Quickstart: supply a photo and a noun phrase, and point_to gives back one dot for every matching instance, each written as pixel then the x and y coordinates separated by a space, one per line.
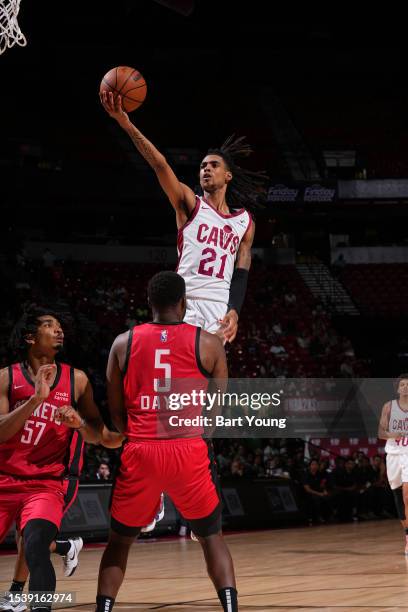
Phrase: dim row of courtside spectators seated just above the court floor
pixel 336 489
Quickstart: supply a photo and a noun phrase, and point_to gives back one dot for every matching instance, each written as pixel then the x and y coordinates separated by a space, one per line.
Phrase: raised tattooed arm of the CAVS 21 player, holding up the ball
pixel 181 197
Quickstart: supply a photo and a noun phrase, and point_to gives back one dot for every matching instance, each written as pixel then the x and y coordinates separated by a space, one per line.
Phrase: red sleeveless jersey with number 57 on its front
pixel 44 447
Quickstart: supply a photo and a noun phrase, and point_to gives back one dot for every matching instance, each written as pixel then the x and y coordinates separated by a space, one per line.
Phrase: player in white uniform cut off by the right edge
pixel 394 428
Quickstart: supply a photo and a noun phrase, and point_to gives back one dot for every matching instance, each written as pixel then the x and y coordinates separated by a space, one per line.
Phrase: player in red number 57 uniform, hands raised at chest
pixel 41 438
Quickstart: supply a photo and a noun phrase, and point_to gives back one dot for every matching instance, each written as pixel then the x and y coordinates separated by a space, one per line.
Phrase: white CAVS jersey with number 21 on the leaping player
pixel 207 248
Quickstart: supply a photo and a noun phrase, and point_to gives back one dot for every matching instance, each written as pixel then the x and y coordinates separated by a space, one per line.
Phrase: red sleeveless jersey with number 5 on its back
pixel 163 361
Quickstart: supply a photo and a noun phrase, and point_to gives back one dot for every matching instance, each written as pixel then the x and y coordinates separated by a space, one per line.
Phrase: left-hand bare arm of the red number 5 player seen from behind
pixel 114 381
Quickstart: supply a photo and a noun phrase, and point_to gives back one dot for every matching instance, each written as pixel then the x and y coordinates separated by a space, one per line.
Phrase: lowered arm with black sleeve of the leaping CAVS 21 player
pixel 239 281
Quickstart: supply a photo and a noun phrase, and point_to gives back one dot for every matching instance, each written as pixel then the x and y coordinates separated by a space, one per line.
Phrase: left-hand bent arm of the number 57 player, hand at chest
pixel 12 422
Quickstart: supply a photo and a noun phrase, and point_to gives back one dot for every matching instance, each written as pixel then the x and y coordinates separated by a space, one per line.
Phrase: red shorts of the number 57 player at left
pixel 22 500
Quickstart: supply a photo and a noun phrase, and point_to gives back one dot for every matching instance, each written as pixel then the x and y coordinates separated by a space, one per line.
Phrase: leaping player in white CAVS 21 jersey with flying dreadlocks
pixel 214 238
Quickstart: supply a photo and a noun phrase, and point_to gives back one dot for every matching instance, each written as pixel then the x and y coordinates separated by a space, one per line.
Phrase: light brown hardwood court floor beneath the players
pixel 347 568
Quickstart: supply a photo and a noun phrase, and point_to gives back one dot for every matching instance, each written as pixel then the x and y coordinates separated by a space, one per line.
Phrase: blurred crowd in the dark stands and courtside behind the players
pixel 291 335
